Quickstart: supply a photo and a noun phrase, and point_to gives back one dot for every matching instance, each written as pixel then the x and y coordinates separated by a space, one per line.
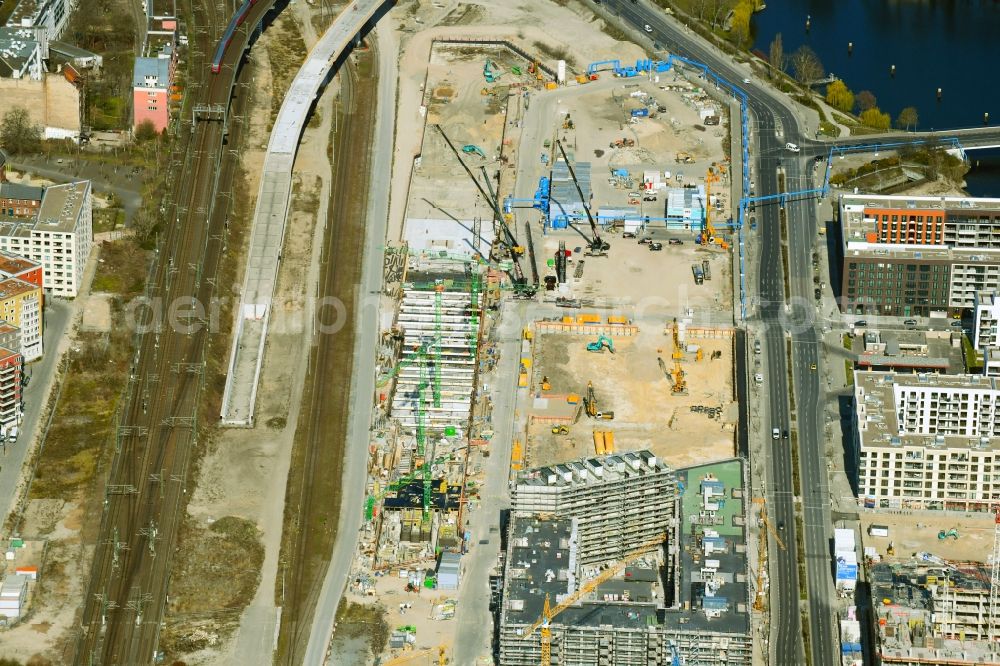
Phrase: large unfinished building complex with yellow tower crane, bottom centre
pixel 670 592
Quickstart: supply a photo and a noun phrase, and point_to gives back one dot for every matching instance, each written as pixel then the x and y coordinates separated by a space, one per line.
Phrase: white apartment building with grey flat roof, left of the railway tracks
pixel 59 237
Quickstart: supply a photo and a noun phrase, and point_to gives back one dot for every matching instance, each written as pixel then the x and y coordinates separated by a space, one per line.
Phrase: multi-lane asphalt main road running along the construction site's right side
pixel 775 125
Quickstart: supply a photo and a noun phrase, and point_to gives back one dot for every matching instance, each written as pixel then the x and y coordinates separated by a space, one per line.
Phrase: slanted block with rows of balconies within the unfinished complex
pixel 618 500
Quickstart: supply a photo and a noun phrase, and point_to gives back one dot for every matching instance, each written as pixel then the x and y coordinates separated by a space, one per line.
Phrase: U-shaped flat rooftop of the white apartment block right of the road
pixel 876 389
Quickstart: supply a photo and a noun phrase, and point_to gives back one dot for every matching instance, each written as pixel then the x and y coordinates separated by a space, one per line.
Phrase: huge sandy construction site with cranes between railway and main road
pixel 538 195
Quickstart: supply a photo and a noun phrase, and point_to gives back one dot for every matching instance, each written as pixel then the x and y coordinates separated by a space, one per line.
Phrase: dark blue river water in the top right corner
pixel 952 45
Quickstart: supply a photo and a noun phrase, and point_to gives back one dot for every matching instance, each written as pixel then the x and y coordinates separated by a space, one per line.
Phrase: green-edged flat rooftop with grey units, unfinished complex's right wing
pixel 713 582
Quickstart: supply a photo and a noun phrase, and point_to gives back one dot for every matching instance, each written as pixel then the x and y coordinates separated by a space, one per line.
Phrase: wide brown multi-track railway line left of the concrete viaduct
pixel 157 423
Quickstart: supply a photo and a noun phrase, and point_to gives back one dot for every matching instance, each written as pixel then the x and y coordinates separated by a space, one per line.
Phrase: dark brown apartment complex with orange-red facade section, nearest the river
pixel 906 256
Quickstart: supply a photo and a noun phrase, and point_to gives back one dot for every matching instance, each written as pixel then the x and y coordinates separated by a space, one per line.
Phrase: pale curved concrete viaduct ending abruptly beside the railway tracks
pixel 271 214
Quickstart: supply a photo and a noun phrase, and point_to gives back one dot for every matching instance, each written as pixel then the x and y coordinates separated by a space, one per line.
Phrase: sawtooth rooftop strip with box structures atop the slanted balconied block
pixel 594 471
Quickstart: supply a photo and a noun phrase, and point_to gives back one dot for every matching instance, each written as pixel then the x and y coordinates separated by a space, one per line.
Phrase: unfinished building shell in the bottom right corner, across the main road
pixel 932 611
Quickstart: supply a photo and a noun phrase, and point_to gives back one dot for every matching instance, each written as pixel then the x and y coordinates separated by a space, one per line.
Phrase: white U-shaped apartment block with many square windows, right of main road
pixel 927 441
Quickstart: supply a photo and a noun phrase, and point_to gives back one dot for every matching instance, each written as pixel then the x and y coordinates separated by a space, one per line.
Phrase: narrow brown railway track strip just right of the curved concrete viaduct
pixel 314 496
